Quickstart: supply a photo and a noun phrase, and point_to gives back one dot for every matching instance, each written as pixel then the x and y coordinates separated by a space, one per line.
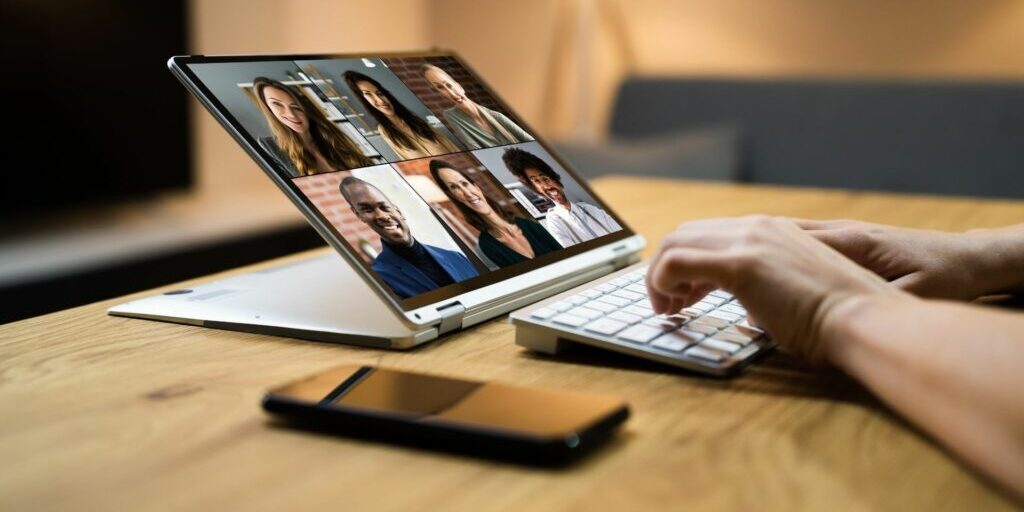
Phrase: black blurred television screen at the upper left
pixel 92 113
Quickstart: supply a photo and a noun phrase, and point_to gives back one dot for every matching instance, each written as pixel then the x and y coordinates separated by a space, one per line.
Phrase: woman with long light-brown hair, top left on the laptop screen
pixel 305 141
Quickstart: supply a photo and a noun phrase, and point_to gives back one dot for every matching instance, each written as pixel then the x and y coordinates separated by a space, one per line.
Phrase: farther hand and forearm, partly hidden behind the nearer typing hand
pixel 933 265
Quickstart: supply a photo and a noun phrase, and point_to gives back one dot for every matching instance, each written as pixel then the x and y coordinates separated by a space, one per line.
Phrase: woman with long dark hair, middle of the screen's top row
pixel 407 134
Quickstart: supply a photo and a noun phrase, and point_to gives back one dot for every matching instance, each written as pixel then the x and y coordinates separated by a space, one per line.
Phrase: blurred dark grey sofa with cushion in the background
pixel 942 138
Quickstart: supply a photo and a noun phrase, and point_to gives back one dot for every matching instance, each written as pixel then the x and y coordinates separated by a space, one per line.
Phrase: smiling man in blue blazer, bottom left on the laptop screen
pixel 407 266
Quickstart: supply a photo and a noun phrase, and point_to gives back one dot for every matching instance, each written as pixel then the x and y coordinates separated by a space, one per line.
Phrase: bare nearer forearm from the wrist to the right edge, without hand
pixel 957 371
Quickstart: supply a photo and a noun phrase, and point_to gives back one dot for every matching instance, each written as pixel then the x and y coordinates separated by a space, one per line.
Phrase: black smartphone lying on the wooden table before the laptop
pixel 487 419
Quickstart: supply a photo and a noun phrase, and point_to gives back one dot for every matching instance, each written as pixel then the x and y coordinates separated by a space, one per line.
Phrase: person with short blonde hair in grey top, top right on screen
pixel 477 125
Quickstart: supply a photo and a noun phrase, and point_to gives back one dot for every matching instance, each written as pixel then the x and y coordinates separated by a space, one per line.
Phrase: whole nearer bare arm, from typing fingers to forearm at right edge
pixel 956 370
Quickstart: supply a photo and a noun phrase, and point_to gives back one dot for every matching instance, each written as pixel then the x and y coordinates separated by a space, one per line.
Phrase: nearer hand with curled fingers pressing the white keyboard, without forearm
pixel 790 281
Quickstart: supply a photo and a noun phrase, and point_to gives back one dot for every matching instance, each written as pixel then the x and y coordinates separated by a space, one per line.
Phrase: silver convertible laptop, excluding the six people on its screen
pixel 338 297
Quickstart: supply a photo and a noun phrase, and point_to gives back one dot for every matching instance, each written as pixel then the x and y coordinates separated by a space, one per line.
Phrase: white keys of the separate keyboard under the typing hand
pixel 713 333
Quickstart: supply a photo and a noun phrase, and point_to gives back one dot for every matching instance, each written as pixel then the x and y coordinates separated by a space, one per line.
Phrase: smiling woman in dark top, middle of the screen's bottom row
pixel 504 239
